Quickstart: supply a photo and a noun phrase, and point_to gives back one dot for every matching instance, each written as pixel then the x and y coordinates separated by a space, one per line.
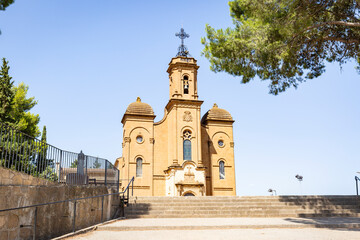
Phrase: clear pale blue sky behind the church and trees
pixel 86 61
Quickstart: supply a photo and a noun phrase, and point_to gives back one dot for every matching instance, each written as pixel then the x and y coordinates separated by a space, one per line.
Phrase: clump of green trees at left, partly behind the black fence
pixel 18 148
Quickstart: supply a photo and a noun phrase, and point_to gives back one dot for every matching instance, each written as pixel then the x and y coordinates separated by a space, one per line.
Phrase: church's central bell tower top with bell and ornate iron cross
pixel 183 73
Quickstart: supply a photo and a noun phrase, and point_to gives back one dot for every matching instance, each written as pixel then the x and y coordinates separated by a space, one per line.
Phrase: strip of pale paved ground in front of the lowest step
pixel 251 234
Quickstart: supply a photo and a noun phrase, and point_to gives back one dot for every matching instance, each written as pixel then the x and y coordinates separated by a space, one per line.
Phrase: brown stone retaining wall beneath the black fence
pixel 52 220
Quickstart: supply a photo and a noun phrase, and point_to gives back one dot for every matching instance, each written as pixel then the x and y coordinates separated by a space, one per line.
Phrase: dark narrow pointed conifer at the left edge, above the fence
pixel 6 93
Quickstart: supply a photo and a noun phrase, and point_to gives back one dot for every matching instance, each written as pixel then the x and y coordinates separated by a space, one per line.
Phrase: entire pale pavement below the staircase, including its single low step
pixel 229 228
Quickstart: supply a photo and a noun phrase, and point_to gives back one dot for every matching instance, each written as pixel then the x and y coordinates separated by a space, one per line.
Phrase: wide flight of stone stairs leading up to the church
pixel 272 206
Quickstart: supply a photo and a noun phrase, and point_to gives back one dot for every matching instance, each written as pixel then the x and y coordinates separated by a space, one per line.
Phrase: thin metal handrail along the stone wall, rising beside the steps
pixel 123 200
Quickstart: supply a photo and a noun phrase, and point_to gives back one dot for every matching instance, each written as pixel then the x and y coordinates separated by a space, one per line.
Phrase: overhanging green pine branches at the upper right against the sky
pixel 285 41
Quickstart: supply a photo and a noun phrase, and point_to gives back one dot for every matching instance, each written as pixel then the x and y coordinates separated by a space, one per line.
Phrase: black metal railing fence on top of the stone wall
pixel 32 156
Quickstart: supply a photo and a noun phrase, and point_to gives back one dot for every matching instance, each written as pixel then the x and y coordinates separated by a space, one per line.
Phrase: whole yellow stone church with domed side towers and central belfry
pixel 182 154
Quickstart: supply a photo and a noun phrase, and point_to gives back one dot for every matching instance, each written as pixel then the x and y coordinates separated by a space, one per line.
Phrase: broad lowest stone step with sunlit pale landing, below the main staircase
pixel 228 223
